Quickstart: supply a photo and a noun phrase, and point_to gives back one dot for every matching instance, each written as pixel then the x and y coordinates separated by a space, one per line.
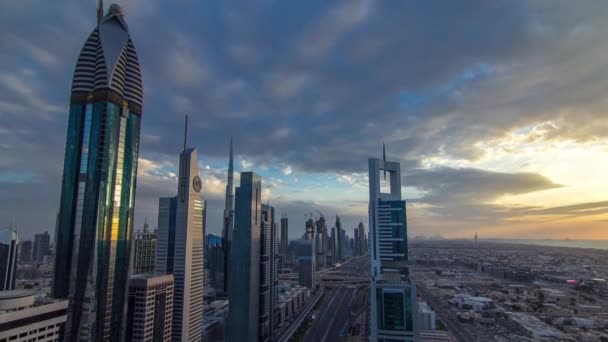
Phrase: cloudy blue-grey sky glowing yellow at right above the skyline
pixel 497 110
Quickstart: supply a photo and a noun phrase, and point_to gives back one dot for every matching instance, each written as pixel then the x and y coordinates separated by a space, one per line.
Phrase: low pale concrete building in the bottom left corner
pixel 40 323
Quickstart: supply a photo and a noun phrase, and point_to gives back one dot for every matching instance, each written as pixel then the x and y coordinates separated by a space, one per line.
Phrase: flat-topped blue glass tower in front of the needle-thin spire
pixel 245 260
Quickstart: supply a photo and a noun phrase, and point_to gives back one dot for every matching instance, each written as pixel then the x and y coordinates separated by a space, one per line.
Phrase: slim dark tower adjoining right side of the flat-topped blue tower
pixel 268 272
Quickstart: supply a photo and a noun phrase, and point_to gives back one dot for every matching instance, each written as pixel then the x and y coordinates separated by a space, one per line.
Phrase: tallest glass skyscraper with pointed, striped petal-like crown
pixel 94 229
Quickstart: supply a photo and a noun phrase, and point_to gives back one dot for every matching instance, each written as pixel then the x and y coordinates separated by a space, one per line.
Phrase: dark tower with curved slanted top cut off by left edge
pixel 9 246
